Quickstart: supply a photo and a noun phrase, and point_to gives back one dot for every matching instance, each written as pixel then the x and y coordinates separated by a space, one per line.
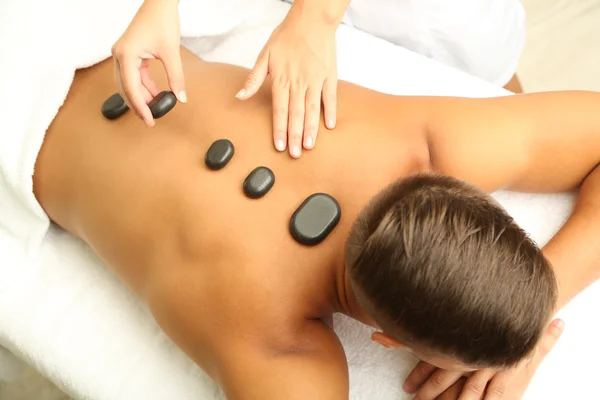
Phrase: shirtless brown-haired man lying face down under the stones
pixel 420 252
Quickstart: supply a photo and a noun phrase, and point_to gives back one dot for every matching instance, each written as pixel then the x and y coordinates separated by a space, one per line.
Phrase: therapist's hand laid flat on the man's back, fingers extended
pixel 300 59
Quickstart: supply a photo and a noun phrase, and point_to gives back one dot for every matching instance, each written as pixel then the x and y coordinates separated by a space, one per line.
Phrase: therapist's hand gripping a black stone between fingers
pixel 153 33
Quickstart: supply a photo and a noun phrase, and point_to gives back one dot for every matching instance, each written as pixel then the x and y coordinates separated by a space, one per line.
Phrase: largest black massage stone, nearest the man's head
pixel 315 219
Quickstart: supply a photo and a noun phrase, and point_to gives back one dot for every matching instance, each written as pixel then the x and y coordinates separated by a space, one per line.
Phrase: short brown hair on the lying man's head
pixel 442 266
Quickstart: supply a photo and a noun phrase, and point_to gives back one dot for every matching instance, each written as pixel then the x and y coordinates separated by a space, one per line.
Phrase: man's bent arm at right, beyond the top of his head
pixel 546 142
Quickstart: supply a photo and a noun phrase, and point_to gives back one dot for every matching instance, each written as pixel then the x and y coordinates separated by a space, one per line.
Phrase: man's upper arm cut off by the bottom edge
pixel 316 369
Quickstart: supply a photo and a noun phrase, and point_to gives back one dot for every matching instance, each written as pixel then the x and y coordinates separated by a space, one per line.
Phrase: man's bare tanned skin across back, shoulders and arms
pixel 220 272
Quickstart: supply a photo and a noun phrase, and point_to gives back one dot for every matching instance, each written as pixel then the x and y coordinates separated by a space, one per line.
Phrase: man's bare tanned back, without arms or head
pixel 208 260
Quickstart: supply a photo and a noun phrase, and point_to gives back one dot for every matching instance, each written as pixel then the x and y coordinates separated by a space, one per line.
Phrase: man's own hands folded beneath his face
pixel 431 383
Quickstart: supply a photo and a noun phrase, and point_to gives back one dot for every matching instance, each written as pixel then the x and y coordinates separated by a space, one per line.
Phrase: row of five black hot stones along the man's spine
pixel 310 223
